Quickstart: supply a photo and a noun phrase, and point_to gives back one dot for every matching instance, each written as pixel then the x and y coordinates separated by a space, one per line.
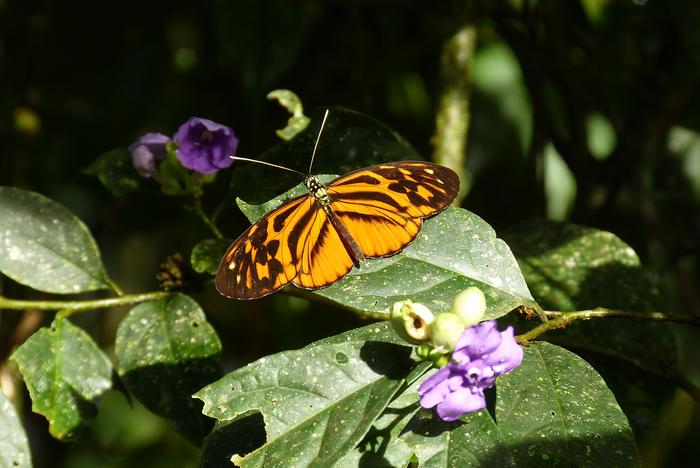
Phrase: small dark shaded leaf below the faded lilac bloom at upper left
pixel 116 172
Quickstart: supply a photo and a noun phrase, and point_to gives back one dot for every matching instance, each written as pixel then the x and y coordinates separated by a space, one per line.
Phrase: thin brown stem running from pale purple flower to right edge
pixel 562 319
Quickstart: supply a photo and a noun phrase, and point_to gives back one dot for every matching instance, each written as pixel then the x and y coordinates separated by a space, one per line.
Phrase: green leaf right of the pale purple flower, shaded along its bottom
pixel 555 410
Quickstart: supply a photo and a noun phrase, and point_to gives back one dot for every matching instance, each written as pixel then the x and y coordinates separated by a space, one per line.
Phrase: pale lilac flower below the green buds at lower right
pixel 481 354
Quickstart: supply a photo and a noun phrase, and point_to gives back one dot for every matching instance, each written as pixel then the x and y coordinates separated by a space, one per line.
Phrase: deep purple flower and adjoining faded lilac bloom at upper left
pixel 204 146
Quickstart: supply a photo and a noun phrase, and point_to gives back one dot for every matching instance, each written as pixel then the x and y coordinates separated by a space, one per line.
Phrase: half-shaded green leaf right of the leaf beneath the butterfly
pixel 569 267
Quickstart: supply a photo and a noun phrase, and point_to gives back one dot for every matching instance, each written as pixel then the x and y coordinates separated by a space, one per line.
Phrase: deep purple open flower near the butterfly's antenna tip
pixel 205 146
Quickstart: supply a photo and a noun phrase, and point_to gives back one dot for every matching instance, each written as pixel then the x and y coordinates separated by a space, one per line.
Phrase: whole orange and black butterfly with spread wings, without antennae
pixel 315 239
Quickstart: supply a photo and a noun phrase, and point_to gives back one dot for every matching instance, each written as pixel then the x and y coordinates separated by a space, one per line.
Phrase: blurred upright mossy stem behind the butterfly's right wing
pixel 452 119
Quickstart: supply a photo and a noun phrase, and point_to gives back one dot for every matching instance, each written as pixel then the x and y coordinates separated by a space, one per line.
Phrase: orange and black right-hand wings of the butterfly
pixel 383 206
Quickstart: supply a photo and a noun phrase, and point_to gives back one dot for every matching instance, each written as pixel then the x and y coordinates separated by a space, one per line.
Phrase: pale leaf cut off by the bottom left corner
pixel 14 446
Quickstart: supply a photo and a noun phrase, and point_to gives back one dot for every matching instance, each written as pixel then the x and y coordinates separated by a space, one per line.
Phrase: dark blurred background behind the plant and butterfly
pixel 584 111
